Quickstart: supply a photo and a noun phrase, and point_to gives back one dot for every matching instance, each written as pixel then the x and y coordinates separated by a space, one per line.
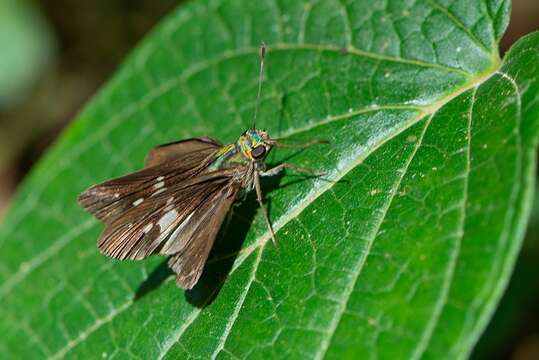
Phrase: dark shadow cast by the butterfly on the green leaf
pixel 223 254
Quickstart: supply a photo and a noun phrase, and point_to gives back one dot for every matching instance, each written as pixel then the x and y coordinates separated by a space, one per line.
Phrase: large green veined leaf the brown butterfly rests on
pixel 401 252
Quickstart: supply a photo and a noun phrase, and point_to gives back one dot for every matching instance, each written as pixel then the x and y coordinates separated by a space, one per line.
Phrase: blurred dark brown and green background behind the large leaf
pixel 56 54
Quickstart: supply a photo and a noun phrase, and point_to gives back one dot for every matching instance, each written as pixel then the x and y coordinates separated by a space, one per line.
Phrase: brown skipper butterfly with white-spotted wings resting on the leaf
pixel 177 203
